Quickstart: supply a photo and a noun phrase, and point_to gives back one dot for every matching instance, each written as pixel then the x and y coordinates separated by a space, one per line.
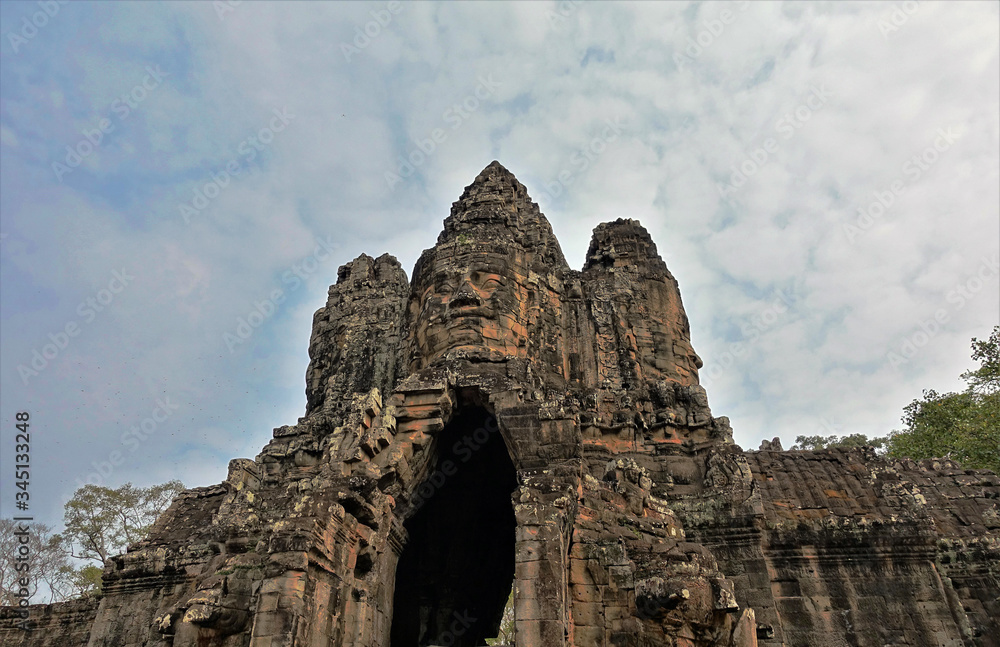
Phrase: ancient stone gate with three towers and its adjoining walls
pixel 502 422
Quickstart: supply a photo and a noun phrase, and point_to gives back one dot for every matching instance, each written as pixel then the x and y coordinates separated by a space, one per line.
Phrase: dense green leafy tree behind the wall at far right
pixel 963 426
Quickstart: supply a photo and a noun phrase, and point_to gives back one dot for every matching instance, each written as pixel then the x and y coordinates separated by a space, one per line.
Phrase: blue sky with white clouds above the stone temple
pixel 179 183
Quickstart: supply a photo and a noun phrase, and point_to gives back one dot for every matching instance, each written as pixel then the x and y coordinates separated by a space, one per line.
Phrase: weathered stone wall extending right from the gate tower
pixel 841 547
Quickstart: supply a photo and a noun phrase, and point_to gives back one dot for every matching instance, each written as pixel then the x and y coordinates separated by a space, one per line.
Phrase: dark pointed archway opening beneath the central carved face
pixel 456 571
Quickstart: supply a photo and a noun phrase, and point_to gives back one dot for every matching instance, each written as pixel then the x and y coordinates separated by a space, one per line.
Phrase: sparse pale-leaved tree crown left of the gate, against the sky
pixel 101 522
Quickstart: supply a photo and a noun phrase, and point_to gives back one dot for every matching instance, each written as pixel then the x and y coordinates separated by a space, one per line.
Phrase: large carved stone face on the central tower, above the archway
pixel 472 300
